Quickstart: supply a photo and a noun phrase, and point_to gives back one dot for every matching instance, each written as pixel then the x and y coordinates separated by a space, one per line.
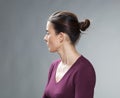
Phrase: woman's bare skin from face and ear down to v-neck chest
pixel 61 44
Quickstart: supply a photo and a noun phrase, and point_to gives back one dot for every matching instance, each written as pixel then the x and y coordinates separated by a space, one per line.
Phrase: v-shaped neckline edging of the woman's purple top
pixel 57 82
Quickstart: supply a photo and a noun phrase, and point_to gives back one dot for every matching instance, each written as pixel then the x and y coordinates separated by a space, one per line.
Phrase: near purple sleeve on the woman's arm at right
pixel 84 83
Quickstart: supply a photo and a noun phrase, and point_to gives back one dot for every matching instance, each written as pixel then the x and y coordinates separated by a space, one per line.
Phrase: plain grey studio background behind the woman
pixel 25 59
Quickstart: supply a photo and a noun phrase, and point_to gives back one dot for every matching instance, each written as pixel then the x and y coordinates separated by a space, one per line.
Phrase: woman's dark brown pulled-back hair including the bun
pixel 67 22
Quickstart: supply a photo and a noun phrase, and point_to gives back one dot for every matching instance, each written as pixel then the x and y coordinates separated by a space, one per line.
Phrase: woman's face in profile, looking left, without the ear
pixel 51 38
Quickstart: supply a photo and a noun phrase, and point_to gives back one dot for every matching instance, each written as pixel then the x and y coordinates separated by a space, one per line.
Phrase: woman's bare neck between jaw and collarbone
pixel 68 54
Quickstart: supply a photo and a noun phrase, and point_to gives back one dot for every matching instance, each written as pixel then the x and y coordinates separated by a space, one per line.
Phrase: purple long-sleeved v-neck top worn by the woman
pixel 78 82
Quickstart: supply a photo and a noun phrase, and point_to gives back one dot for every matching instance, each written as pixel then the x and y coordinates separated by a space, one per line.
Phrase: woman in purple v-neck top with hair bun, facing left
pixel 72 76
